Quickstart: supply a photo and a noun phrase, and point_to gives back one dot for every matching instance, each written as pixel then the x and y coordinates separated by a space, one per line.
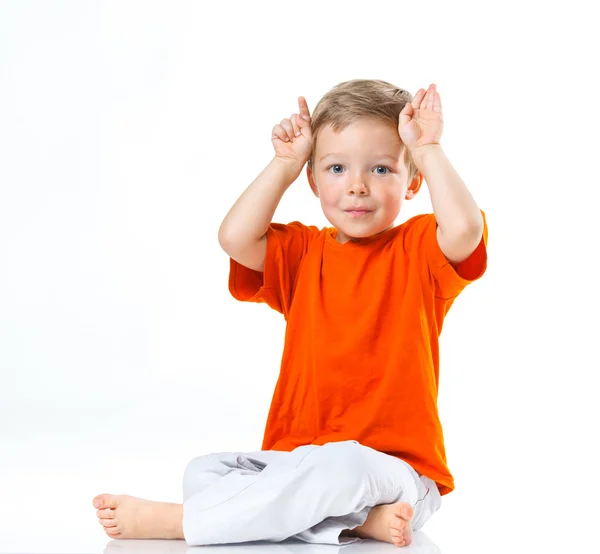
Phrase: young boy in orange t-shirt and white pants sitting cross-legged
pixel 353 446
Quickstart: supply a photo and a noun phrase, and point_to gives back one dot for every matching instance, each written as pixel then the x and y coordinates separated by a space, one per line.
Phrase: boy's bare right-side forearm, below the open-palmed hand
pixel 455 209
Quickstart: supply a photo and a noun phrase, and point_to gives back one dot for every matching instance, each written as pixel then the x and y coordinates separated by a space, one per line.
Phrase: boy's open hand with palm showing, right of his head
pixel 421 120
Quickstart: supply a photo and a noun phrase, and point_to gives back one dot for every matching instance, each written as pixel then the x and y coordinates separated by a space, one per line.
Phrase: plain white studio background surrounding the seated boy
pixel 128 130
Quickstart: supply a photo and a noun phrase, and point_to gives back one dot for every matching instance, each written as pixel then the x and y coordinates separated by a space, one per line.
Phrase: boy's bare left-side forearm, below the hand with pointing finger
pixel 252 213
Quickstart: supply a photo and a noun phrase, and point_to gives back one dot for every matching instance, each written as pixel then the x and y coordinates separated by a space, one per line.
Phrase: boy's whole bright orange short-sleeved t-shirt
pixel 360 358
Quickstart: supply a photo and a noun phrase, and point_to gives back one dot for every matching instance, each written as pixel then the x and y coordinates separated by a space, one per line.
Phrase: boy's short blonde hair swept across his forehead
pixel 357 99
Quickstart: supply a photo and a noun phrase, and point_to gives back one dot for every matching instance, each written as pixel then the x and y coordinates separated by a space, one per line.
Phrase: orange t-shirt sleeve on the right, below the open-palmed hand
pixel 449 279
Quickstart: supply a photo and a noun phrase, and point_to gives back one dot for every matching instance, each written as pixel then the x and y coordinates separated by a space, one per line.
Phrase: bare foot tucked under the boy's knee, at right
pixel 388 523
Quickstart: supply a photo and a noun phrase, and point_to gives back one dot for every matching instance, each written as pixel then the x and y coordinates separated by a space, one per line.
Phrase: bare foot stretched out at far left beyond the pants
pixel 129 517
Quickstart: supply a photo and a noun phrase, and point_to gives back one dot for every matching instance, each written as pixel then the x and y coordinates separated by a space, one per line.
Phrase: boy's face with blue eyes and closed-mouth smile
pixel 361 167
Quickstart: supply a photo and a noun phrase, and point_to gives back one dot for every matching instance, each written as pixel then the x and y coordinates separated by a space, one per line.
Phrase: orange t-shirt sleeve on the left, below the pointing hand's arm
pixel 286 246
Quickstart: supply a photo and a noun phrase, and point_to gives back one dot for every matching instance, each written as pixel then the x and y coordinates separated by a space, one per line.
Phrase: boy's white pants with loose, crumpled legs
pixel 312 493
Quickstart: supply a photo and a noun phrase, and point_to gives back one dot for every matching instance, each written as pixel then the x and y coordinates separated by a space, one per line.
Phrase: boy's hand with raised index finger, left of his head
pixel 296 149
